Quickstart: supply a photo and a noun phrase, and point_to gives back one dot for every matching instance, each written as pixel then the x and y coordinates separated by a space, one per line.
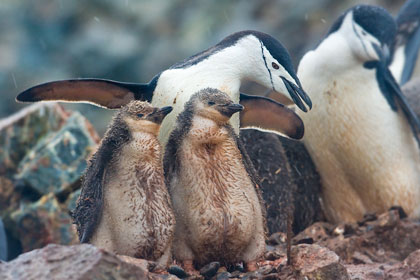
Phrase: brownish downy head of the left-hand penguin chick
pixel 140 116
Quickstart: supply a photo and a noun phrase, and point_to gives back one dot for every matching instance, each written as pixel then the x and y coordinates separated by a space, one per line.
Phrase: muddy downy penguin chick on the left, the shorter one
pixel 124 206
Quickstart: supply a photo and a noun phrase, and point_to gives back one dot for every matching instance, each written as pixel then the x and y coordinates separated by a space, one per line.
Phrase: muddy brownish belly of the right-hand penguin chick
pixel 216 204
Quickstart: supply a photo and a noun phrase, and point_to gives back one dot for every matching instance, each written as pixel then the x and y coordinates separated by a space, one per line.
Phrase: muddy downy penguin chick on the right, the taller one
pixel 213 186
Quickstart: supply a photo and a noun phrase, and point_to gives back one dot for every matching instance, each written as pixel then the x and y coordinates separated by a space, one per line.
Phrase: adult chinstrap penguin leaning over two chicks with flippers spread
pixel 245 55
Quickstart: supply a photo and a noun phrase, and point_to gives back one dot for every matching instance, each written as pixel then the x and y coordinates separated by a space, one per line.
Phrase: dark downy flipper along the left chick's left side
pixel 89 205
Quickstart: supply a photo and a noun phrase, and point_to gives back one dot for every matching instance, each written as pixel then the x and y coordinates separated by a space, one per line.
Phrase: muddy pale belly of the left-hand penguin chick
pixel 137 218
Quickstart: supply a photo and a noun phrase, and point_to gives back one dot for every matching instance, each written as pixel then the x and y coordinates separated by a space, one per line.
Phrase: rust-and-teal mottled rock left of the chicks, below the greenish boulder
pixel 40 223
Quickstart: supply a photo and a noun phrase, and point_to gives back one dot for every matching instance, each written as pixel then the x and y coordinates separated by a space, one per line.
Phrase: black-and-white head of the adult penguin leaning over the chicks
pixel 272 66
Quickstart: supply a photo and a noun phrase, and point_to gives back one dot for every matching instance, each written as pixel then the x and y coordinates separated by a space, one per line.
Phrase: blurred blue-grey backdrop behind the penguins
pixel 127 40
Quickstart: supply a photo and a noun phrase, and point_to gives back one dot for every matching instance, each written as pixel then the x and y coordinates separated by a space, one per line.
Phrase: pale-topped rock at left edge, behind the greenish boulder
pixel 20 132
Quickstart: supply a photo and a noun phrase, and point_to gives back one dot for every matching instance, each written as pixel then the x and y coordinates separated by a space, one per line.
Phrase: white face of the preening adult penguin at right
pixel 359 40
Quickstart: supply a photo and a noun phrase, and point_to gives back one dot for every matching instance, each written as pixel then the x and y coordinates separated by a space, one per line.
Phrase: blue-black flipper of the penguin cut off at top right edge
pixel 408 20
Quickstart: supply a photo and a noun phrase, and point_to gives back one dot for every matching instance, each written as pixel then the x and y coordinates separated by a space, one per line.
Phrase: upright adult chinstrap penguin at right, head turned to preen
pixel 361 133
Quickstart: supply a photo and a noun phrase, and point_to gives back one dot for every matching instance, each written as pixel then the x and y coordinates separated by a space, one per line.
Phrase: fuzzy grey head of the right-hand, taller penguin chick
pixel 215 105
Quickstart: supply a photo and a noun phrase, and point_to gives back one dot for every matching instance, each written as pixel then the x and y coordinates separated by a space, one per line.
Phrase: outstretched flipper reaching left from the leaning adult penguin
pixel 103 93
